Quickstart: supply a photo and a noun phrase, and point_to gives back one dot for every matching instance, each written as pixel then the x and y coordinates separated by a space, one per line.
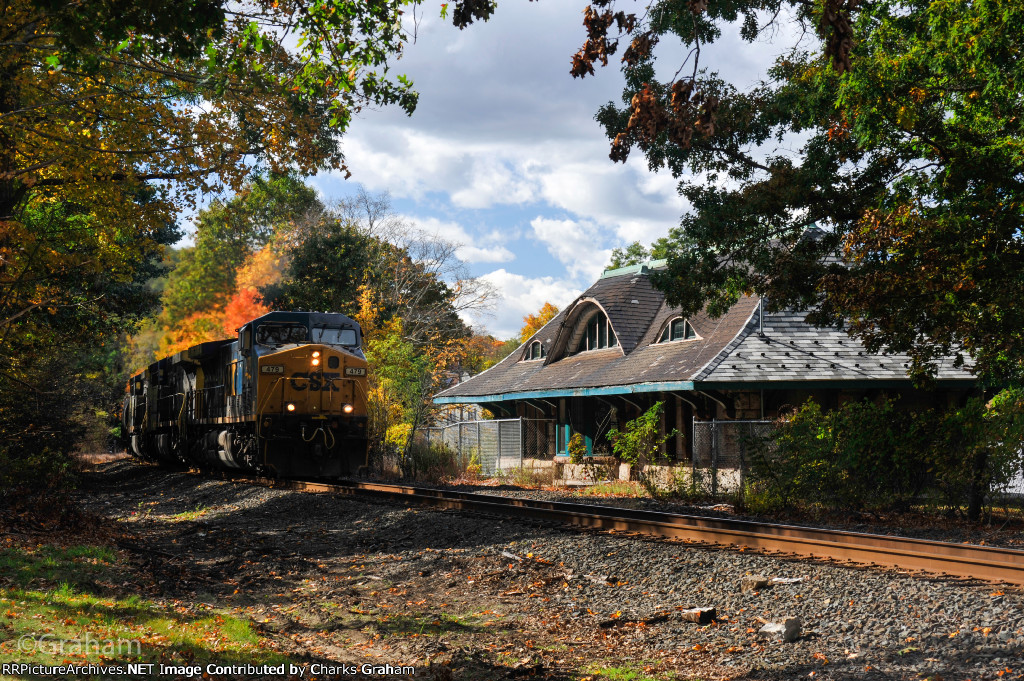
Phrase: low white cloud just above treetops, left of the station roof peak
pixel 522 296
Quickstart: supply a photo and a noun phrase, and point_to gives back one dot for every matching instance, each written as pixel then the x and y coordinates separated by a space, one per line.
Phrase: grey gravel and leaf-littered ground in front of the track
pixel 478 598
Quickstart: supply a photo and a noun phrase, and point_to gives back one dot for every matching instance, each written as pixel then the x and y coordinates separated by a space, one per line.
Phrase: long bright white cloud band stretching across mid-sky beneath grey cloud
pixel 572 176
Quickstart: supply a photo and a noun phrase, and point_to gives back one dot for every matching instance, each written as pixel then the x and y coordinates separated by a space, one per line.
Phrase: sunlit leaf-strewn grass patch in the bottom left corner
pixel 65 606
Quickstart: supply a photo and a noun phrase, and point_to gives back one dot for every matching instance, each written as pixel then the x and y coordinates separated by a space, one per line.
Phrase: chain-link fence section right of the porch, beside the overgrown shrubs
pixel 722 452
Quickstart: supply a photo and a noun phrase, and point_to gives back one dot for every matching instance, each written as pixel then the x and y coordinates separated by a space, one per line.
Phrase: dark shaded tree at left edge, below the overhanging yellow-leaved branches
pixel 67 296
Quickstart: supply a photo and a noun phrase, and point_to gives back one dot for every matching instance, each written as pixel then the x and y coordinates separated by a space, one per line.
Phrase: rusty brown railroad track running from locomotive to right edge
pixel 963 561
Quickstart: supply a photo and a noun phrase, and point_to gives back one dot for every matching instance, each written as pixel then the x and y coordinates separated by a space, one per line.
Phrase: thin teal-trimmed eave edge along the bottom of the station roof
pixel 670 387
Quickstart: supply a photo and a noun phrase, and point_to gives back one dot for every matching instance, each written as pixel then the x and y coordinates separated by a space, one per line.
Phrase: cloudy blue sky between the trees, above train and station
pixel 503 155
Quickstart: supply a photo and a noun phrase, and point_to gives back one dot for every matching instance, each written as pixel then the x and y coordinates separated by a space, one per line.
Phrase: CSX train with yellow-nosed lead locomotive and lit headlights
pixel 287 398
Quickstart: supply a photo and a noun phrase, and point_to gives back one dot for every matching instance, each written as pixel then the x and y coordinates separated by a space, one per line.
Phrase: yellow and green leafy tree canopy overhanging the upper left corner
pixel 103 103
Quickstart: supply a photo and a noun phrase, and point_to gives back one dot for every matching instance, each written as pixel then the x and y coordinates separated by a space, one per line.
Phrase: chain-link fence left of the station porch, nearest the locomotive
pixel 496 445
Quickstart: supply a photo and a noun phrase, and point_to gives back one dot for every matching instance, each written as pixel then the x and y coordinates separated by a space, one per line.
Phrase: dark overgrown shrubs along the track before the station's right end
pixel 874 456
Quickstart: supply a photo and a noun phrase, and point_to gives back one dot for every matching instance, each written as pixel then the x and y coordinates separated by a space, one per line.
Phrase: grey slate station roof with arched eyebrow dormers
pixel 733 352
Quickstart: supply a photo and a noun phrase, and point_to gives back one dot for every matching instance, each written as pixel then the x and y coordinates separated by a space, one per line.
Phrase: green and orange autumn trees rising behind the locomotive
pixel 275 246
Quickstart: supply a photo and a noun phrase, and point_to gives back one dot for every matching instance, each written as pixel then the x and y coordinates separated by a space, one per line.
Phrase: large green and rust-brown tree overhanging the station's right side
pixel 898 210
